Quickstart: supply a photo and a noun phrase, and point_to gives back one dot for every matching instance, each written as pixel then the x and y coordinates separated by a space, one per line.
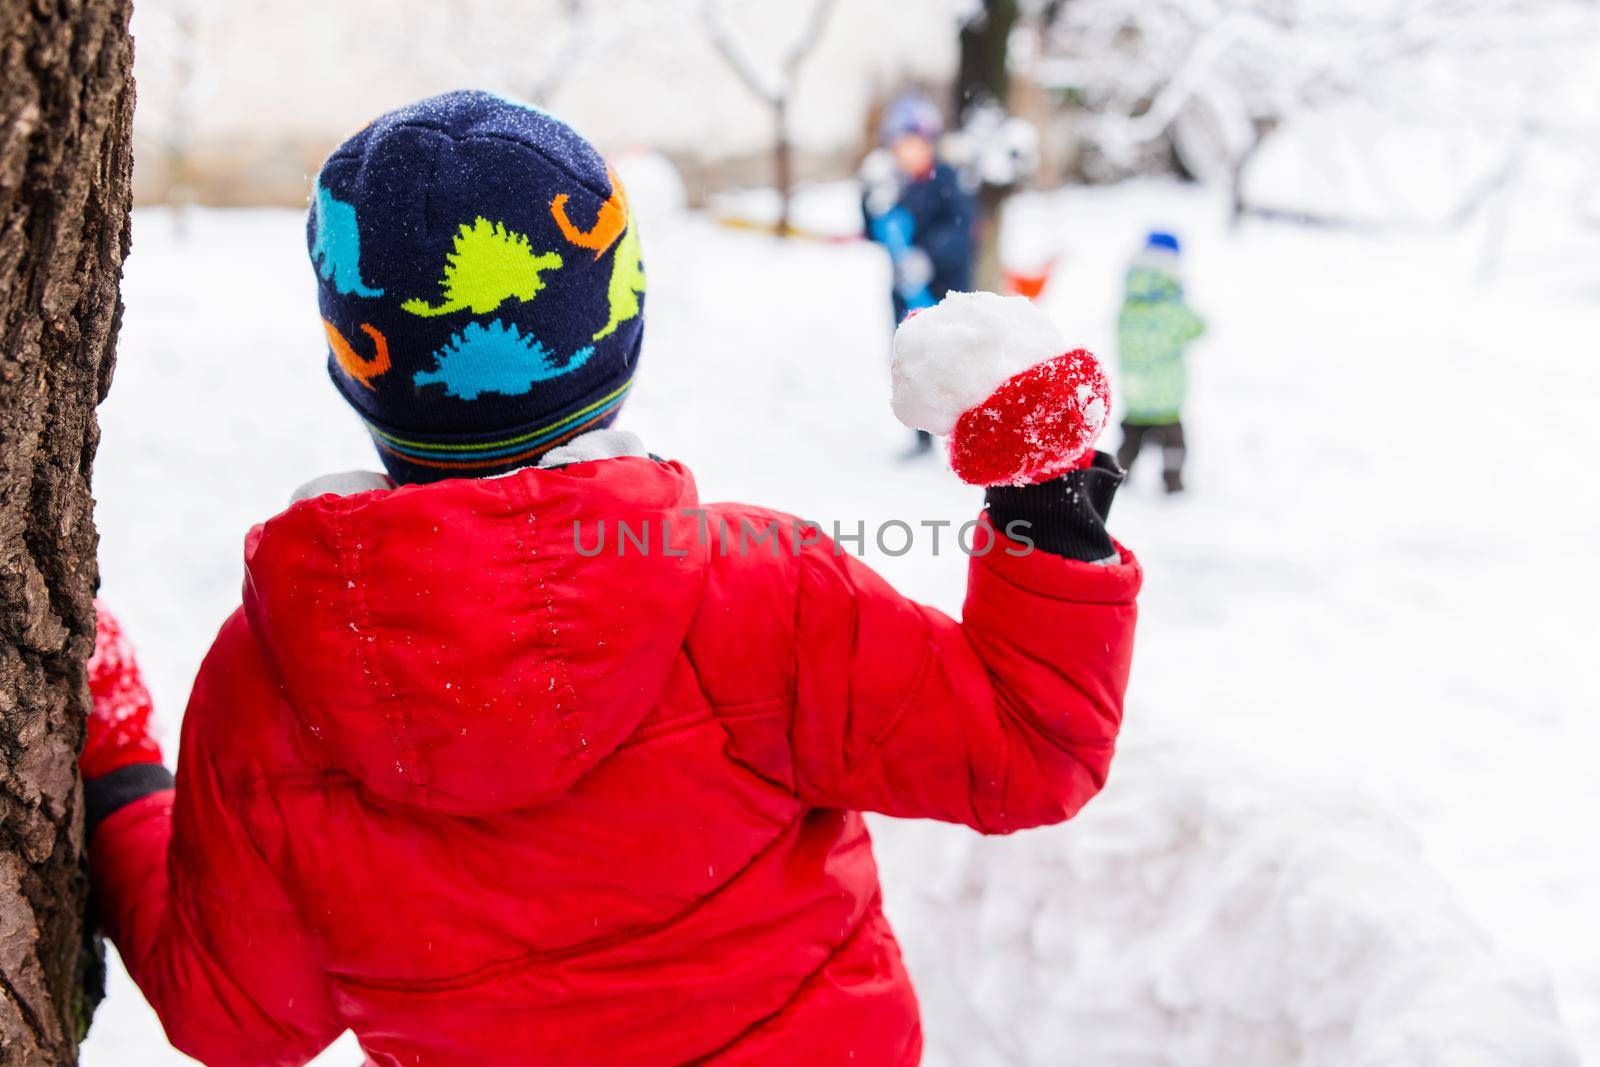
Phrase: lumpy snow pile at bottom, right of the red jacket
pixel 1199 914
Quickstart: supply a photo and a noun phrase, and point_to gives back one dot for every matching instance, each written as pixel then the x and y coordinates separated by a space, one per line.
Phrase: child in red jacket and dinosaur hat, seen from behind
pixel 465 783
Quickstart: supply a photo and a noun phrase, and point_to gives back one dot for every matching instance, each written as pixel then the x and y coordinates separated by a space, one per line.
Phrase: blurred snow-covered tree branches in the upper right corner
pixel 1209 81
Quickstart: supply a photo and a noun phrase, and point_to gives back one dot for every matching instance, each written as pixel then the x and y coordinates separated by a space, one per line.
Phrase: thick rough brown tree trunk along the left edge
pixel 66 105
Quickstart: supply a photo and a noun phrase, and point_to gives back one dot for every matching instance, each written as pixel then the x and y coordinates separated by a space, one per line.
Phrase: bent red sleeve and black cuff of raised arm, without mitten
pixel 1001 722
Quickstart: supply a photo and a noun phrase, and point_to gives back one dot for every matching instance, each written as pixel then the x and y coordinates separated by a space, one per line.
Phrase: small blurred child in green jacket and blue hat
pixel 1154 330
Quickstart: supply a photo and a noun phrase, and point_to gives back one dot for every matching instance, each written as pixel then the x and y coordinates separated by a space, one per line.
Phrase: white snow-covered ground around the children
pixel 1354 818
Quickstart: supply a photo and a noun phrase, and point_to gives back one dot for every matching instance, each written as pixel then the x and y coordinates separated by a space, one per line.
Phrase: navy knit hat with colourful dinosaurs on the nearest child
pixel 481 284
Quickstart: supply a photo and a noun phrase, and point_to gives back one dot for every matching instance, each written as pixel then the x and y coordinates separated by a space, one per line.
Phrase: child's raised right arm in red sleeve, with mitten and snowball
pixel 1009 717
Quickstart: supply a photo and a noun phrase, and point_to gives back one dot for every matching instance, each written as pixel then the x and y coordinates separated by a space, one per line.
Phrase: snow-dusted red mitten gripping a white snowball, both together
pixel 993 374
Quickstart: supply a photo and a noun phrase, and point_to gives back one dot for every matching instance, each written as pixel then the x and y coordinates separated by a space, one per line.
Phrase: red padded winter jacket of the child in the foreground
pixel 482 799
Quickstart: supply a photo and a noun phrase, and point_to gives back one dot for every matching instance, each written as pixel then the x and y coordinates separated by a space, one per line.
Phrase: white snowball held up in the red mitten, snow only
pixel 954 356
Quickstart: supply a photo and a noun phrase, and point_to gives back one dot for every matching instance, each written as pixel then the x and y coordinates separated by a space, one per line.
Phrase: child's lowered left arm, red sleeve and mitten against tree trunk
pixel 193 908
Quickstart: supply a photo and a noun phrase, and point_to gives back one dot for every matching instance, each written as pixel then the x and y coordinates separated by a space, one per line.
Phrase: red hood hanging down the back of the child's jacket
pixel 452 647
